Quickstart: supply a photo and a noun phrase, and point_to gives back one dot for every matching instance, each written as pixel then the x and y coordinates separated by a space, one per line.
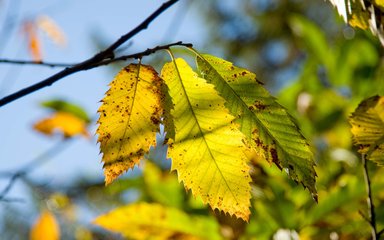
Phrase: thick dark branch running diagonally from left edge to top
pixel 90 63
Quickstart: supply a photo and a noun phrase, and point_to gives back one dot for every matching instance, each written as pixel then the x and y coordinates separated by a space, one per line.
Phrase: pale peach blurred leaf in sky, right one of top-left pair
pixel 54 32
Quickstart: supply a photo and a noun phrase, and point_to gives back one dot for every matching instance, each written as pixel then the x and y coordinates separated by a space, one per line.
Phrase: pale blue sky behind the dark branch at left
pixel 80 20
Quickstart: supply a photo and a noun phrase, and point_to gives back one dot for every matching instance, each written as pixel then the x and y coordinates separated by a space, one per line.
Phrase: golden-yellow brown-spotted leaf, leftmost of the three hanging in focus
pixel 129 119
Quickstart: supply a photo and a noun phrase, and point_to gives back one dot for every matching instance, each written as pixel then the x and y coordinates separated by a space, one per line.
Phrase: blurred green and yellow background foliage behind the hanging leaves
pixel 319 69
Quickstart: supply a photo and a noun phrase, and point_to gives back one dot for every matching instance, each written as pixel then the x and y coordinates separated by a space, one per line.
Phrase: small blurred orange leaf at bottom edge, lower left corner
pixel 46 228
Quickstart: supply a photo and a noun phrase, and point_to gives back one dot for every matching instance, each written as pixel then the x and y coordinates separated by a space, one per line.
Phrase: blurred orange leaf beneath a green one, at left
pixel 66 123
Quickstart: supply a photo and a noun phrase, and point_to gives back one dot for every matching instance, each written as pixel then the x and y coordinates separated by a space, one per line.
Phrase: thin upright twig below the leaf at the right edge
pixel 371 208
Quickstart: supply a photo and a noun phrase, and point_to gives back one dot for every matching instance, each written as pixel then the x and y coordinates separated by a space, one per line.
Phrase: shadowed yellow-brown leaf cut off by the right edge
pixel 368 128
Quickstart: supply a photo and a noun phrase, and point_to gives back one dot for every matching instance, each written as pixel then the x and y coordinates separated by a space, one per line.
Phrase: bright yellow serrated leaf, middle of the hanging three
pixel 208 150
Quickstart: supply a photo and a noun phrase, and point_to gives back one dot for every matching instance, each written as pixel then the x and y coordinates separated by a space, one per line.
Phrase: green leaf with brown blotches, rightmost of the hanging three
pixel 267 125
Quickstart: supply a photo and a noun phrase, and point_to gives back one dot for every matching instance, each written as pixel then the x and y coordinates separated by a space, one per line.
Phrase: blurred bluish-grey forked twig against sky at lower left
pixel 28 168
